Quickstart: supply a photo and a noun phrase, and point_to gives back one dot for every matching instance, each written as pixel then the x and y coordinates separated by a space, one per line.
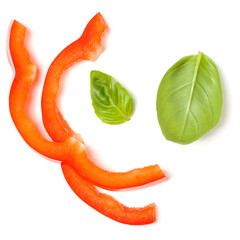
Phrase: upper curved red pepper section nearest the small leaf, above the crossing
pixel 87 47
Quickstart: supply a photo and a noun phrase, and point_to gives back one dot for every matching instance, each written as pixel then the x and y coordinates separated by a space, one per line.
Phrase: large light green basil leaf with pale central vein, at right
pixel 189 99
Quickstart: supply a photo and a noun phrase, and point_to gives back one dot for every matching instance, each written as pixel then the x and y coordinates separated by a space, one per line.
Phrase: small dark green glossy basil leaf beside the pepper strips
pixel 111 102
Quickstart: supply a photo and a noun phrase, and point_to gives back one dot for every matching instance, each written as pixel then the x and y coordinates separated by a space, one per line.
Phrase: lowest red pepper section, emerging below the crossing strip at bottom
pixel 106 204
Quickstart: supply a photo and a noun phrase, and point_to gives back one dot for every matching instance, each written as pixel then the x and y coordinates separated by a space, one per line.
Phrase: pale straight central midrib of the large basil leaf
pixel 199 57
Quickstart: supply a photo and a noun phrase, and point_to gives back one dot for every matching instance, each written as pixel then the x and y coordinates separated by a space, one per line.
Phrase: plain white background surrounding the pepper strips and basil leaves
pixel 200 199
